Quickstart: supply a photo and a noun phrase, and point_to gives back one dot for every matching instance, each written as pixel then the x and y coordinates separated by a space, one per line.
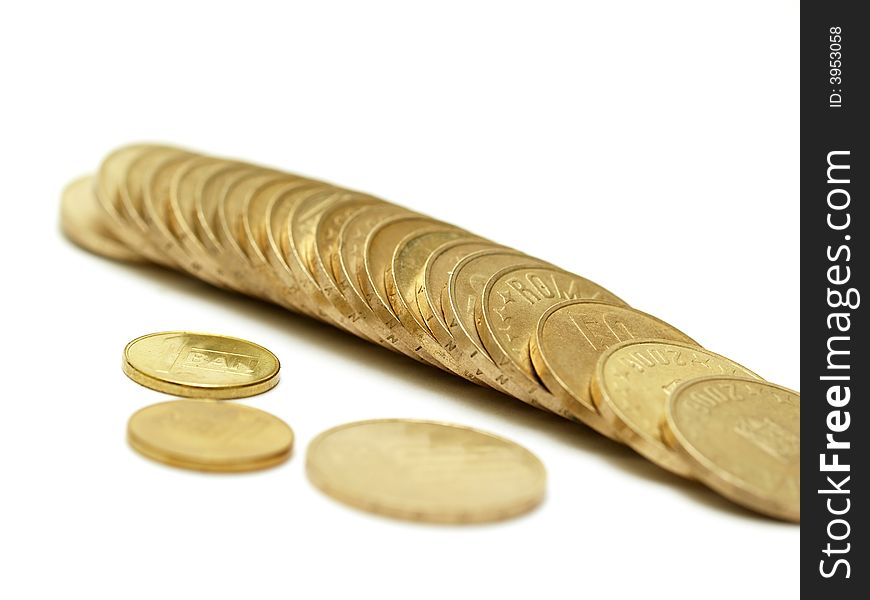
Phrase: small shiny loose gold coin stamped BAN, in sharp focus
pixel 200 365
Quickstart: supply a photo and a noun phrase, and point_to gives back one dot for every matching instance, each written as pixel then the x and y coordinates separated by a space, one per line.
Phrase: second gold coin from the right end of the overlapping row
pixel 631 385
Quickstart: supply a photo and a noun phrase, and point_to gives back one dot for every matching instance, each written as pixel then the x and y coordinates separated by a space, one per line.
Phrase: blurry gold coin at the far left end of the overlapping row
pixel 81 220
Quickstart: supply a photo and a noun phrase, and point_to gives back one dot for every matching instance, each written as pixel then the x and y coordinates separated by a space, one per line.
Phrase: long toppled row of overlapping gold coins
pixel 443 296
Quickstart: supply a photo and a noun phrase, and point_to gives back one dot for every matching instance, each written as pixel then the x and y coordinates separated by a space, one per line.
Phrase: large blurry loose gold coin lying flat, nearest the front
pixel 425 471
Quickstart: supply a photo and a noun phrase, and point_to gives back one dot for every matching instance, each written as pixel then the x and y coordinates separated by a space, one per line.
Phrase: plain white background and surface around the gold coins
pixel 650 146
